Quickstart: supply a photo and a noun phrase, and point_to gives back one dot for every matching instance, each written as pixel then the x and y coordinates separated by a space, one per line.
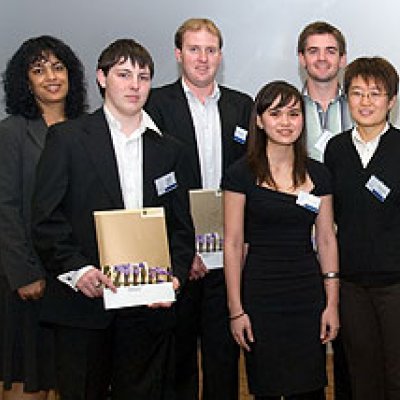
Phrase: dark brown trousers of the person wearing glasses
pixel 371 336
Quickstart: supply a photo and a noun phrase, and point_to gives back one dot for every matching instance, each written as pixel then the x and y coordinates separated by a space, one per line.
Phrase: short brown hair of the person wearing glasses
pixel 373 68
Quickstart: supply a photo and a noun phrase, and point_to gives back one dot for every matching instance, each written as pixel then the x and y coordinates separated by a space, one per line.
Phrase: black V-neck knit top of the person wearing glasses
pixel 368 230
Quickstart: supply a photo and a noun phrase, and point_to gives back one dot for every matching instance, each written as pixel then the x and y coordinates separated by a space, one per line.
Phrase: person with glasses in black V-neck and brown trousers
pixel 364 163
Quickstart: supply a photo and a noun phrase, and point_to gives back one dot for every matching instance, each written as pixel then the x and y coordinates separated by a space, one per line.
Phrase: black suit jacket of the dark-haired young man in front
pixel 78 174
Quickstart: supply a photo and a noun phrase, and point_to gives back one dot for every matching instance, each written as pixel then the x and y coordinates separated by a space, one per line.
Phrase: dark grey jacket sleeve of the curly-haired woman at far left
pixel 21 143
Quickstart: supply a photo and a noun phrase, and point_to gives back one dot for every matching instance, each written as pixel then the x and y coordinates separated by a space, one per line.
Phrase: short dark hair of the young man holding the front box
pixel 120 51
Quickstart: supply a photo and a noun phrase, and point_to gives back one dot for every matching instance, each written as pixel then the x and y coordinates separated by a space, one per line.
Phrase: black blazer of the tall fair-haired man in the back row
pixel 170 110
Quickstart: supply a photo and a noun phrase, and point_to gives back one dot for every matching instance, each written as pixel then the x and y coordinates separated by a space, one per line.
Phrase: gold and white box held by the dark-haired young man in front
pixel 134 253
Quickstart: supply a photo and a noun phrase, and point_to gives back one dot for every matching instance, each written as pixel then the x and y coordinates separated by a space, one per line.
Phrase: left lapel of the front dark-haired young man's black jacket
pixel 98 143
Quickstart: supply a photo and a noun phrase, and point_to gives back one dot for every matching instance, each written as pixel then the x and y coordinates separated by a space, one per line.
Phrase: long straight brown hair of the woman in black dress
pixel 257 142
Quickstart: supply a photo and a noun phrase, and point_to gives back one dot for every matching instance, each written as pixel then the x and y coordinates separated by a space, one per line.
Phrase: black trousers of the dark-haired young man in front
pixel 130 357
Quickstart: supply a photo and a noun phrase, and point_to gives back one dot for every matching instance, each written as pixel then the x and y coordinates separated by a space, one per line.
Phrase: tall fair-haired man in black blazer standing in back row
pixel 211 121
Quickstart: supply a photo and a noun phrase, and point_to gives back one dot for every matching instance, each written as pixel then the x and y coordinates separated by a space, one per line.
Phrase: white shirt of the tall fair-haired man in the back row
pixel 207 126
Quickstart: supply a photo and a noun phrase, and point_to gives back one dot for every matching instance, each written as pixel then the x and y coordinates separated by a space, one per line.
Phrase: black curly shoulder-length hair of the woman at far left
pixel 19 99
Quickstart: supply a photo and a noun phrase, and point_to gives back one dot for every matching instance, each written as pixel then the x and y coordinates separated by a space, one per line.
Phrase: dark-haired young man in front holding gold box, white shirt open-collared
pixel 110 159
